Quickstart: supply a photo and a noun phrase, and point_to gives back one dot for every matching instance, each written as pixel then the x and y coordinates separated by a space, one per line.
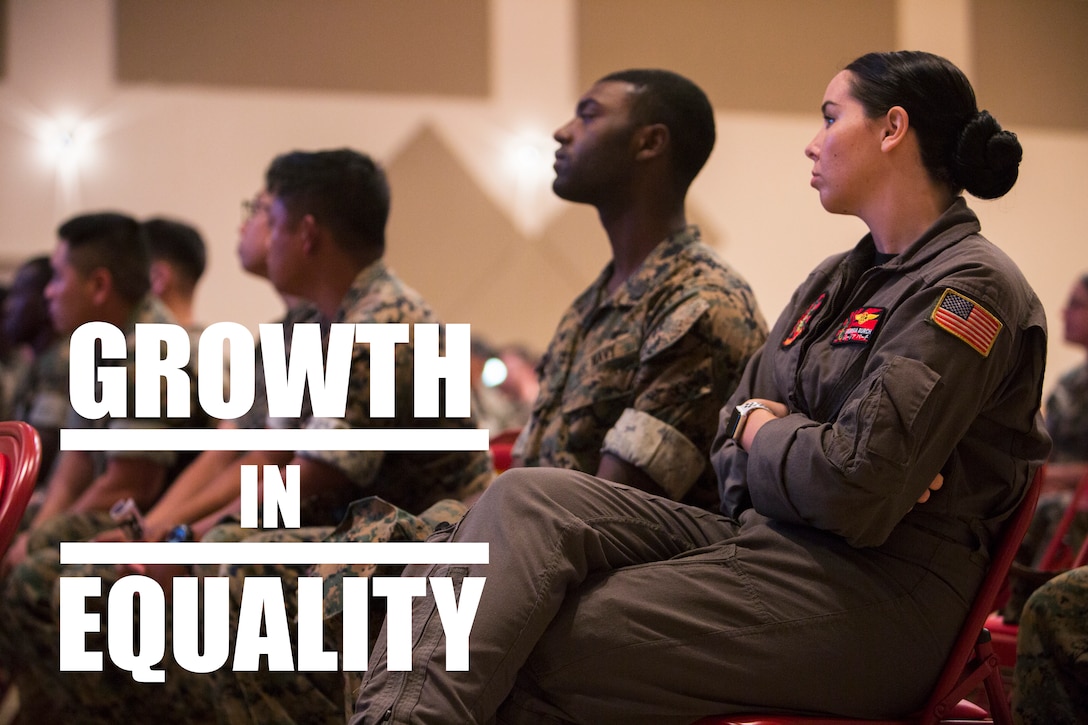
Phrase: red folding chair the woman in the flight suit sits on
pixel 971 663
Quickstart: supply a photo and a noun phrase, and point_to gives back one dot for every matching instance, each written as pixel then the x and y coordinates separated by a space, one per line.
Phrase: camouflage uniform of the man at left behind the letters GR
pixel 29 636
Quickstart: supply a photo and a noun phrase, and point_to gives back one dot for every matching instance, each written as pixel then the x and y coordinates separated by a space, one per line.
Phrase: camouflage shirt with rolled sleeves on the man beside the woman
pixel 641 374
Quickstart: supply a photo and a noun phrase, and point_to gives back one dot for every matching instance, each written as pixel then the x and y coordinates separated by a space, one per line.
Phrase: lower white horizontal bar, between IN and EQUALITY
pixel 274 552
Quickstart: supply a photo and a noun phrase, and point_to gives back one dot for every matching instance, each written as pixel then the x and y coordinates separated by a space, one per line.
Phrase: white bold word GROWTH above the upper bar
pixel 163 353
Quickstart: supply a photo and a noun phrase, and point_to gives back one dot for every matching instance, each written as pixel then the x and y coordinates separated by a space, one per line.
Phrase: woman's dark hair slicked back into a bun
pixel 961 146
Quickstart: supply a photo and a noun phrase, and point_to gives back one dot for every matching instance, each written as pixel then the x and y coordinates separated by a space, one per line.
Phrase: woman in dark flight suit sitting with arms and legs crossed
pixel 871 454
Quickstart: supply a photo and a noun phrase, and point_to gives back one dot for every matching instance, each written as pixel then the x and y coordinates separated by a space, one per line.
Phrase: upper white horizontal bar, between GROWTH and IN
pixel 216 439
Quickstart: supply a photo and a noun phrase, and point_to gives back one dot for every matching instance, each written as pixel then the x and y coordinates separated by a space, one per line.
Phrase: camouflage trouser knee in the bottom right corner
pixel 1052 675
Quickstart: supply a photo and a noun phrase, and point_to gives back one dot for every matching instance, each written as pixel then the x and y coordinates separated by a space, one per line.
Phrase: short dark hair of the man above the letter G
pixel 114 242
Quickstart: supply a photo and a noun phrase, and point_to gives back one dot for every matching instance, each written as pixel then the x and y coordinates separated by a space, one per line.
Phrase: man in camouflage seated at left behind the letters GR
pixel 101 274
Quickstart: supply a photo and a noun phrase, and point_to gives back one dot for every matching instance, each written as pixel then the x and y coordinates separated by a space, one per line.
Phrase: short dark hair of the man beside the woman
pixel 670 99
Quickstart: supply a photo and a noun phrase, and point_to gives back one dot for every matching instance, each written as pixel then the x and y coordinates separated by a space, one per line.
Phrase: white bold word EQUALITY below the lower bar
pixel 138 645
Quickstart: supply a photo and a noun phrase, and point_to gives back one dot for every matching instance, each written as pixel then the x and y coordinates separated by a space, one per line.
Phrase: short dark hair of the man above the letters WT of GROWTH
pixel 345 191
